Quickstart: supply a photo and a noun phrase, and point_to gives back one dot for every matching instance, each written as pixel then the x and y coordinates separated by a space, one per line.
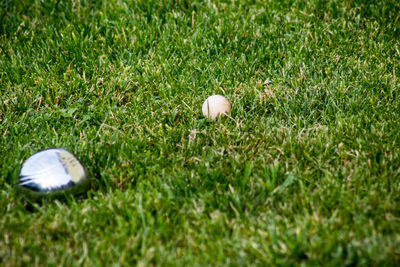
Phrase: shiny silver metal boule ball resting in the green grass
pixel 52 171
